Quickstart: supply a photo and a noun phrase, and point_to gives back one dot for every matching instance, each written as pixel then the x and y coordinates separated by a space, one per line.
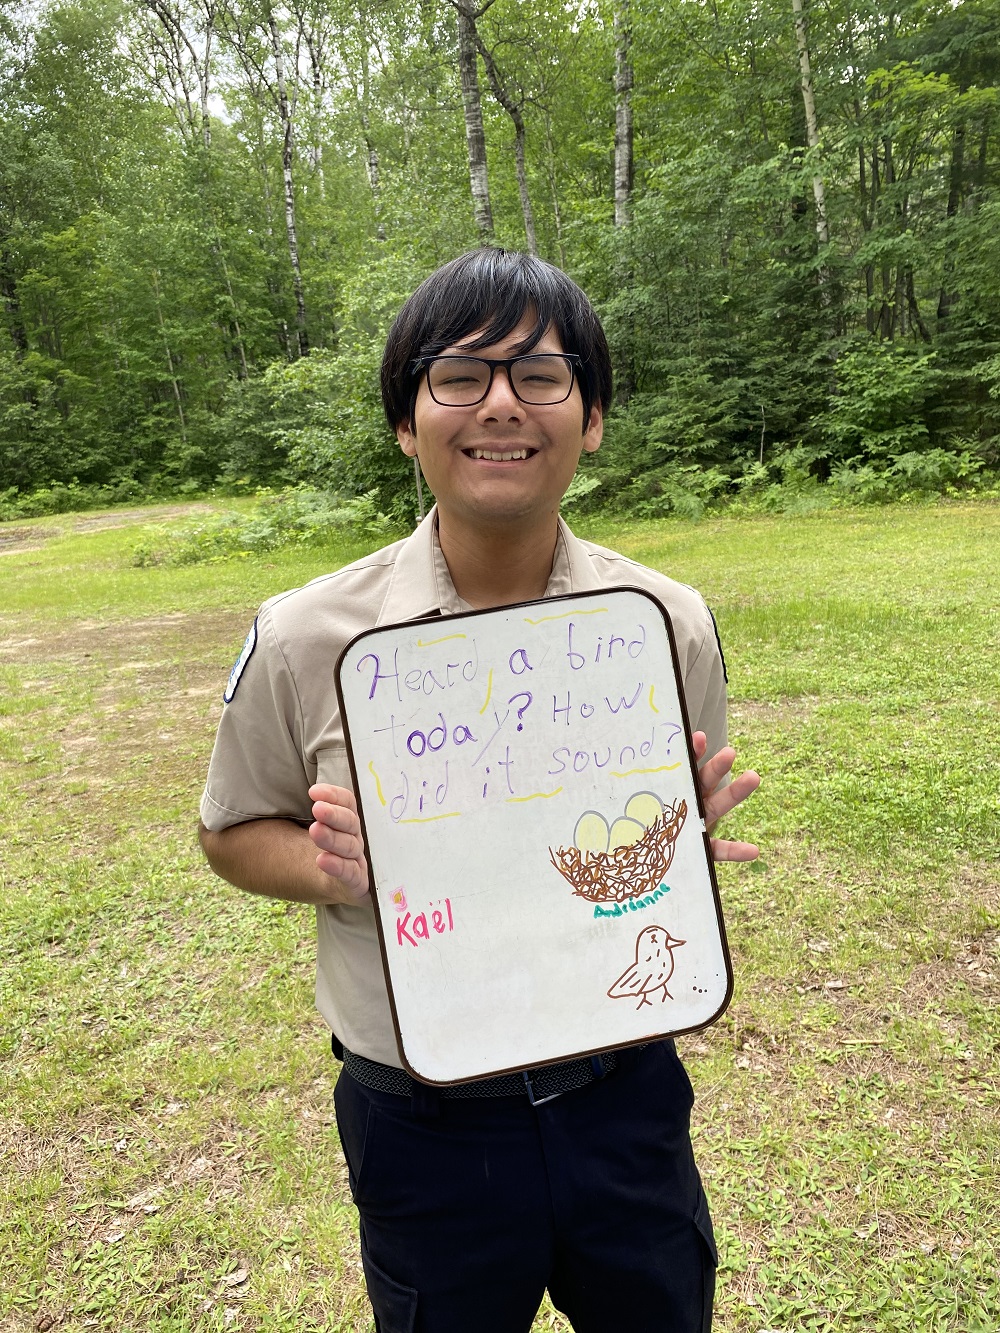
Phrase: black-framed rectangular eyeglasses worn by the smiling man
pixel 461 382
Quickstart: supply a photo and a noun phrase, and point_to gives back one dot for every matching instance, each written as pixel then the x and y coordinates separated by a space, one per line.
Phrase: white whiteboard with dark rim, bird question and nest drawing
pixel 499 758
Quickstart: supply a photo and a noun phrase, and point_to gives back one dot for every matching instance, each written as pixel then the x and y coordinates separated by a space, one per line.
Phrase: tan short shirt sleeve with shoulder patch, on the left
pixel 258 768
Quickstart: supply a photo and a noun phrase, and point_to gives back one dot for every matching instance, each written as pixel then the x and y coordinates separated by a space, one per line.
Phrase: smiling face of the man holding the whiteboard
pixel 501 462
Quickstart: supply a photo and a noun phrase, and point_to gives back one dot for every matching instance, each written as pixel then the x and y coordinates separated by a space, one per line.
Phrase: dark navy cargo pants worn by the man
pixel 471 1208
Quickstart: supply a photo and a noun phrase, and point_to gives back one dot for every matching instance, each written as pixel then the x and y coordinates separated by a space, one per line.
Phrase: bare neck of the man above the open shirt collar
pixel 497 567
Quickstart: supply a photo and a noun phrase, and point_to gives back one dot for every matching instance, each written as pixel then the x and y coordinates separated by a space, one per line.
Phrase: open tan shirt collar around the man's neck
pixel 422 585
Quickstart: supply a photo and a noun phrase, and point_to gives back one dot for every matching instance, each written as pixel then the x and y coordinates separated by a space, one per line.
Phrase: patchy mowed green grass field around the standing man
pixel 167 1142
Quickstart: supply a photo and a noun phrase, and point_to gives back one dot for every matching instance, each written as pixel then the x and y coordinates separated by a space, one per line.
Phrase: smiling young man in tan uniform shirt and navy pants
pixel 474 1199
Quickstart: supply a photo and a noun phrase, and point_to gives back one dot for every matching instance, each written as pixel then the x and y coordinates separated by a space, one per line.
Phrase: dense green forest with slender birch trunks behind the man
pixel 787 217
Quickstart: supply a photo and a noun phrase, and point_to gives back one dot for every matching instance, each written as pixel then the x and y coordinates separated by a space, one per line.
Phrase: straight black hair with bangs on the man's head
pixel 490 291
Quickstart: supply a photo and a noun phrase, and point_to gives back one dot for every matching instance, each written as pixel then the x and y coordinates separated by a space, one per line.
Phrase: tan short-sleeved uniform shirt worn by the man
pixel 282 732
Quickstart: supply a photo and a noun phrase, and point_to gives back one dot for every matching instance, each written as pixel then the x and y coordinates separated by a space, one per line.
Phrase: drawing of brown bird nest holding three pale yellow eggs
pixel 611 864
